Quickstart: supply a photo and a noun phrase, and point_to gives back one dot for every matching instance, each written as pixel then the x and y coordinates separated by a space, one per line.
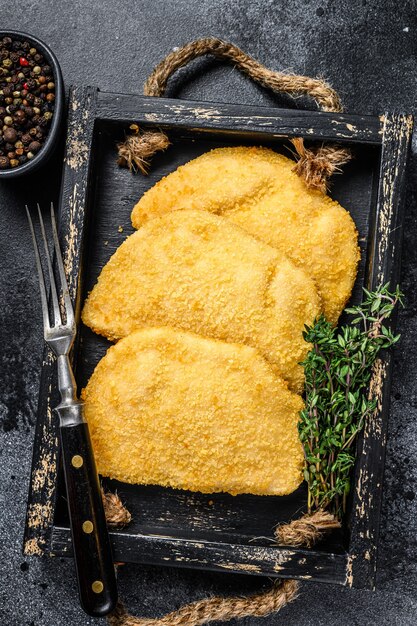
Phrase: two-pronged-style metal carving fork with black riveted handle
pixel 91 544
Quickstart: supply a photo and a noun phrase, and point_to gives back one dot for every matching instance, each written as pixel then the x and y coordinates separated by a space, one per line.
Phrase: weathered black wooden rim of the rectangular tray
pixel 349 558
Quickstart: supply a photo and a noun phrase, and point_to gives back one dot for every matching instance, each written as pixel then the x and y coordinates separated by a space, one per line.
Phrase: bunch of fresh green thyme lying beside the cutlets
pixel 337 372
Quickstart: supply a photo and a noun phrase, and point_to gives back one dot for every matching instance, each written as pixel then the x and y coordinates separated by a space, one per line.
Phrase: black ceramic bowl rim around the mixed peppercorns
pixel 53 135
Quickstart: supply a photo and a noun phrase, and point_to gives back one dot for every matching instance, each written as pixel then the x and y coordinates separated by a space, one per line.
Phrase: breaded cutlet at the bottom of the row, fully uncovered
pixel 171 408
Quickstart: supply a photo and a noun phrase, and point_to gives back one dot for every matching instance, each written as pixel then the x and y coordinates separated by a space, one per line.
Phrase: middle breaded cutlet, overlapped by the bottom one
pixel 199 272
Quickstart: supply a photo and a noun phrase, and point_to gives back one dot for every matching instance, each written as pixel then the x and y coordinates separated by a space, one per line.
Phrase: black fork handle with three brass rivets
pixel 92 550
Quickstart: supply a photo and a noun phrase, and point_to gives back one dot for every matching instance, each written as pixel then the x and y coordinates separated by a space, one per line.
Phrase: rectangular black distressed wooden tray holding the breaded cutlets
pixel 216 532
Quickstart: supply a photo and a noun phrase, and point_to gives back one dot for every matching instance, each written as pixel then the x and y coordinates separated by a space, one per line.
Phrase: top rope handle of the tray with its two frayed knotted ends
pixel 314 165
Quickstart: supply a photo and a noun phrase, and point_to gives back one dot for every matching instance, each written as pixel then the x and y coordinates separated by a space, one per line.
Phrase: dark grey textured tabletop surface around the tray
pixel 367 50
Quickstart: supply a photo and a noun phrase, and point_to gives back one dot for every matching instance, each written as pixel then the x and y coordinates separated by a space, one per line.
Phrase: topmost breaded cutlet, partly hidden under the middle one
pixel 257 189
